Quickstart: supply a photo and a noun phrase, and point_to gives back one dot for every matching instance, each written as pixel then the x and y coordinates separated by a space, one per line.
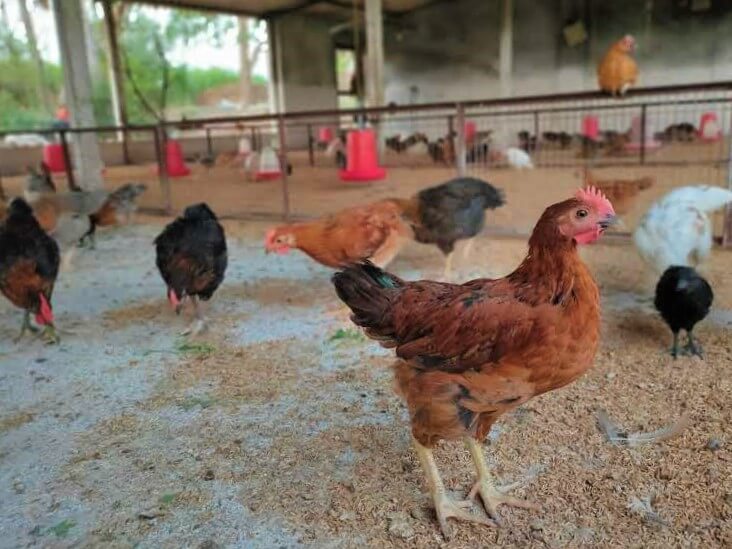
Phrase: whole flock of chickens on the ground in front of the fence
pixel 468 353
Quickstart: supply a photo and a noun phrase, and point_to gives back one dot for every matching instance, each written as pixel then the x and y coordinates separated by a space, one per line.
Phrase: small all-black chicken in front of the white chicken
pixel 683 298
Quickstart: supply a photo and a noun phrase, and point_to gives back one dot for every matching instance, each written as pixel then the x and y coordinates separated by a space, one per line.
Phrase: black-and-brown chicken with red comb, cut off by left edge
pixel 29 263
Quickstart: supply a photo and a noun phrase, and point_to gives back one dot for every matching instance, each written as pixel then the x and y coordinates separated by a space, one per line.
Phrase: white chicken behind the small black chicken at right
pixel 677 230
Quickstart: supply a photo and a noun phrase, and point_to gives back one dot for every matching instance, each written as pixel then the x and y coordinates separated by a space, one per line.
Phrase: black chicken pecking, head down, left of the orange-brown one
pixel 192 259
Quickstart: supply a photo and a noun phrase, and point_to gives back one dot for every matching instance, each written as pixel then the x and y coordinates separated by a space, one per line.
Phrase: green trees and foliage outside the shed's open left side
pixel 20 107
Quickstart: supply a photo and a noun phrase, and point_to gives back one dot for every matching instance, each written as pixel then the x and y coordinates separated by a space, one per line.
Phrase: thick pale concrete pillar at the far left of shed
pixel 70 27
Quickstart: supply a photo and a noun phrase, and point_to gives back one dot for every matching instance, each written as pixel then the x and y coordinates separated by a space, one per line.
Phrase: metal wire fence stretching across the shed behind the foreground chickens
pixel 673 135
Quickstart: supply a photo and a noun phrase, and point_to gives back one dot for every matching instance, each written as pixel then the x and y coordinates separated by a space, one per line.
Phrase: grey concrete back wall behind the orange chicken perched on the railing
pixel 450 51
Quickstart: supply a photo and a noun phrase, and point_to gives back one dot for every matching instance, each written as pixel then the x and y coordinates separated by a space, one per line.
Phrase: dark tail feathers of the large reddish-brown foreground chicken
pixel 368 291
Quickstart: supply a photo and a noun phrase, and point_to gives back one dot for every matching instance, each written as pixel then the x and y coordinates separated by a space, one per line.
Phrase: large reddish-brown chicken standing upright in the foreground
pixel 470 353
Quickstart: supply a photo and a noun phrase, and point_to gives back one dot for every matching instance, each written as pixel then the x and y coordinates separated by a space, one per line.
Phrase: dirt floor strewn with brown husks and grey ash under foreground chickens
pixel 279 427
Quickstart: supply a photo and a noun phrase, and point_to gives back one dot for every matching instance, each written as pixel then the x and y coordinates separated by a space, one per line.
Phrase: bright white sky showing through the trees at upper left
pixel 202 55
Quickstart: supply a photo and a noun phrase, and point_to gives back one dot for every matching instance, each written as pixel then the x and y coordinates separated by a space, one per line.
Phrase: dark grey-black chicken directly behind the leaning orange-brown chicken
pixel 453 211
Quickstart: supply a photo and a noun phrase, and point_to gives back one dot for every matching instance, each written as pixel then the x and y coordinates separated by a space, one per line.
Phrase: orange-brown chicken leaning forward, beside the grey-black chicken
pixel 375 232
